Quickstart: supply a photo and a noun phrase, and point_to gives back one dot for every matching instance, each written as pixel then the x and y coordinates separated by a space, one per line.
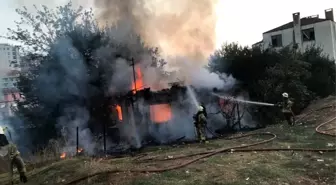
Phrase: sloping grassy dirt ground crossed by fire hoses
pixel 228 168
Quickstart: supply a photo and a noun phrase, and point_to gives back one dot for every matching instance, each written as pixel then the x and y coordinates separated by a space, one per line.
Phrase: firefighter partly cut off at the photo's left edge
pixel 10 151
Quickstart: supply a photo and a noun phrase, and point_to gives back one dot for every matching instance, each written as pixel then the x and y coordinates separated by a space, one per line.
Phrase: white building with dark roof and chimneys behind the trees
pixel 304 32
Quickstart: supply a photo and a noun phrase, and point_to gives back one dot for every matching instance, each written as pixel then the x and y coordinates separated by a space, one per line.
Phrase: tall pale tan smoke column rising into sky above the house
pixel 184 31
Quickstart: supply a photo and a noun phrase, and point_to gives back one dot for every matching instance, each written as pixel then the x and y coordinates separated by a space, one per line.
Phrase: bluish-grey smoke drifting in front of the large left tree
pixel 62 81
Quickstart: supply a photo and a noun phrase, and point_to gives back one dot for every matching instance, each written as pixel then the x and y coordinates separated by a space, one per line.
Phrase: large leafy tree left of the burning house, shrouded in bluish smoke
pixel 67 68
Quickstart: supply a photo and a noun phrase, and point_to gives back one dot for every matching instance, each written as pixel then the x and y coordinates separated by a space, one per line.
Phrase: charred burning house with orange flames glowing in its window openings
pixel 146 108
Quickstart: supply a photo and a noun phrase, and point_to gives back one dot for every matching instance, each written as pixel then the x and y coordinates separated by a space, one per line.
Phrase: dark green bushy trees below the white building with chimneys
pixel 265 74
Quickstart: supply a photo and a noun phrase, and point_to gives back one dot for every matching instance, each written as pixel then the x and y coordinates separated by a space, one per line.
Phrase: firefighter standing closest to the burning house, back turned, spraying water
pixel 200 124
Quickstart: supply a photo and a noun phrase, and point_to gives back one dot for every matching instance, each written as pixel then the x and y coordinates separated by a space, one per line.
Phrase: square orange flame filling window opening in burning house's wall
pixel 160 113
